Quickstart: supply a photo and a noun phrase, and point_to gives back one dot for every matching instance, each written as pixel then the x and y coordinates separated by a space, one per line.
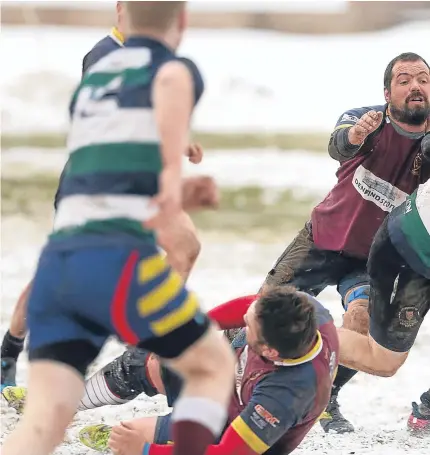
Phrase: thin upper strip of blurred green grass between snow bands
pixel 316 142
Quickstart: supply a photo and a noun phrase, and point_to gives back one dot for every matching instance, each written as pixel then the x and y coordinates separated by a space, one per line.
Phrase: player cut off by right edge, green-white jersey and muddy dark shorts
pixel 399 269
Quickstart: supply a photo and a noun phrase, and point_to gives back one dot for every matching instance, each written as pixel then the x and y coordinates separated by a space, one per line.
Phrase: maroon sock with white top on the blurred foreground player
pixel 197 422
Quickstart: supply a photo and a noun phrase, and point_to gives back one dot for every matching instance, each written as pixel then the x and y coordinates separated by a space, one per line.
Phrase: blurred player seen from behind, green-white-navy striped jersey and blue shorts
pixel 100 272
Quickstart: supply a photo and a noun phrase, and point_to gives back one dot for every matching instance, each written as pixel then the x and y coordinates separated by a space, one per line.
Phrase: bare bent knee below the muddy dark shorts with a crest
pixel 362 353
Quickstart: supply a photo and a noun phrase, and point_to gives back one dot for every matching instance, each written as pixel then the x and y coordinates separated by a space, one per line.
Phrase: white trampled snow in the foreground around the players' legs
pixel 227 268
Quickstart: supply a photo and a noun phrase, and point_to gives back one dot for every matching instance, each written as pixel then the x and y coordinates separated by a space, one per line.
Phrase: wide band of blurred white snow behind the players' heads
pixel 256 80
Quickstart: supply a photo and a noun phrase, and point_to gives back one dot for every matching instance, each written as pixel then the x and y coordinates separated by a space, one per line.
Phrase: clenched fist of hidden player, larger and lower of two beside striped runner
pixel 199 193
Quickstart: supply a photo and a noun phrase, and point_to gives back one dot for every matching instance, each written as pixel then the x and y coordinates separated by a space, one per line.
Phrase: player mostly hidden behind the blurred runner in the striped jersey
pixel 179 239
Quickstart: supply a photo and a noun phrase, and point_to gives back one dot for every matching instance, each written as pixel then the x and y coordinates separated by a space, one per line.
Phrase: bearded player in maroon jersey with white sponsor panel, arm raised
pixel 381 162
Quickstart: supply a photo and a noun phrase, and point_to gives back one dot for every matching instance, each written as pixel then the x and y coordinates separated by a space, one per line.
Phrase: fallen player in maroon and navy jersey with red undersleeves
pixel 286 362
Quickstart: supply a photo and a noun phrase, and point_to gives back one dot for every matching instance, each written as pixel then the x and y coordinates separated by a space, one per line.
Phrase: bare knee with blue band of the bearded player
pixel 356 303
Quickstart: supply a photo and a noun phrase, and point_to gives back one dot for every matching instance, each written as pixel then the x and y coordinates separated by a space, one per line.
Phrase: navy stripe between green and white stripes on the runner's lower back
pixel 116 183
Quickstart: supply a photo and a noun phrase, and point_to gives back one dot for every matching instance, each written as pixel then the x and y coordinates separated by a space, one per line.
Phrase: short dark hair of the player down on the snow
pixel 287 321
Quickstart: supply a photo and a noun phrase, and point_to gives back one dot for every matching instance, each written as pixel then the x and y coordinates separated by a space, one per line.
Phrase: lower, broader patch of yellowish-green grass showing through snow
pixel 242 210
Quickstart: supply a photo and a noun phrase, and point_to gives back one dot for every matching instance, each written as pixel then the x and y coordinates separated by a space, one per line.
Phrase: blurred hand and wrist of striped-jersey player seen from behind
pixel 168 201
